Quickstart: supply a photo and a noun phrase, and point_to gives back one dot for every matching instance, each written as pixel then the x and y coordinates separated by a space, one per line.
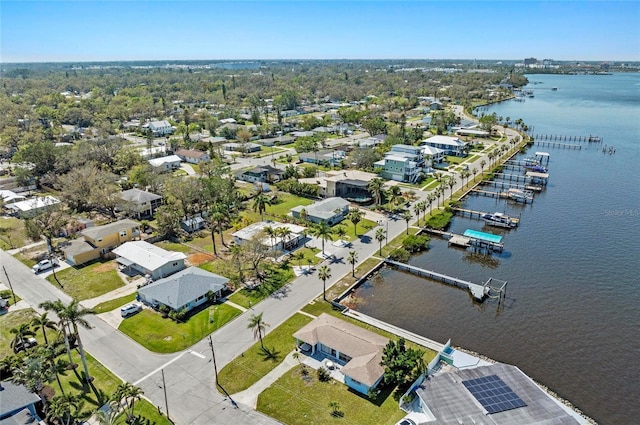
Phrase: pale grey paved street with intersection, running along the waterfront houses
pixel 189 377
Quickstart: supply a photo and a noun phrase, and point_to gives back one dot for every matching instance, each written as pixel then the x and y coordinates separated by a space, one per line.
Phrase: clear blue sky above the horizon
pixel 78 30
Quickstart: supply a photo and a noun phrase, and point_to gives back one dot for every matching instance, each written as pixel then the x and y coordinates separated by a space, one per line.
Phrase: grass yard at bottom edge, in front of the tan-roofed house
pixel 311 399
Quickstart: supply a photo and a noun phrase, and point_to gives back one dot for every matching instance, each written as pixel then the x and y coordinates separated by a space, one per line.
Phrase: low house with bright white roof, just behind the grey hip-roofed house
pixel 149 259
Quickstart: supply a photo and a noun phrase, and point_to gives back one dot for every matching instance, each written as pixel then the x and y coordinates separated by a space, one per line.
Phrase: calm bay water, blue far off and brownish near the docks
pixel 571 318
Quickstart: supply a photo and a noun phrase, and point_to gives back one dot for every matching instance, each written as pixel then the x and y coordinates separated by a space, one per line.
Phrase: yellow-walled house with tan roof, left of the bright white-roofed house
pixel 95 242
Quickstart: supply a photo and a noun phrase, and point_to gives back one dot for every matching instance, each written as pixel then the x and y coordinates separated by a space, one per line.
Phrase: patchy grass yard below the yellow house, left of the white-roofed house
pixel 89 281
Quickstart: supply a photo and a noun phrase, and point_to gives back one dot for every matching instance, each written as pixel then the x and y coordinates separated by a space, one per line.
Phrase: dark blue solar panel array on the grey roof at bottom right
pixel 493 394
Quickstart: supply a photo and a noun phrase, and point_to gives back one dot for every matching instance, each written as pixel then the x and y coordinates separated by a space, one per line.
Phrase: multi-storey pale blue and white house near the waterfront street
pixel 402 163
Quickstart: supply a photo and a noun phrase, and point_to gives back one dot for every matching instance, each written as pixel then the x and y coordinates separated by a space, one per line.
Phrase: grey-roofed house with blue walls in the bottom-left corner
pixel 17 404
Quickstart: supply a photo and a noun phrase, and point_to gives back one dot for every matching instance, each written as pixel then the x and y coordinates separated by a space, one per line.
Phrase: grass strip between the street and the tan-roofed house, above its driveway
pixel 253 364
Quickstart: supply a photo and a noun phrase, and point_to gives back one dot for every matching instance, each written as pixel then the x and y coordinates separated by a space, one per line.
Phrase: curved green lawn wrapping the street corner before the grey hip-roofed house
pixel 153 332
